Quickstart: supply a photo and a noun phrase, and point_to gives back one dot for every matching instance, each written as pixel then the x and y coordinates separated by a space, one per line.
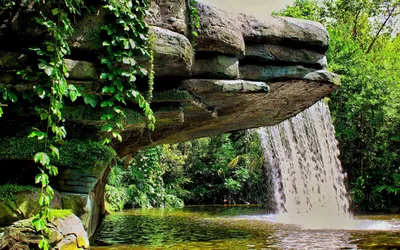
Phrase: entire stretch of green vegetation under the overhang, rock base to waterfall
pixel 222 169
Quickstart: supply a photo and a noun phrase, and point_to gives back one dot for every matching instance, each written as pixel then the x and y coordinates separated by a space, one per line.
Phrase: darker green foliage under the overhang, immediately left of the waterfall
pixel 226 168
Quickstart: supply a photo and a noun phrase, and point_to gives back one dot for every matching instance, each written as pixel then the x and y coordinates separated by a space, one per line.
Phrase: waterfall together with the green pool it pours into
pixel 312 210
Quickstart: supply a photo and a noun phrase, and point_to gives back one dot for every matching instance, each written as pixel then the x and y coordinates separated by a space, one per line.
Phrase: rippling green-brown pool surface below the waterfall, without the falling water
pixel 238 227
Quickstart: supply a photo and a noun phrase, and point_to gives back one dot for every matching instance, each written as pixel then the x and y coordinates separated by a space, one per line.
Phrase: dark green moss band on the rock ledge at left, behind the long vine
pixel 73 153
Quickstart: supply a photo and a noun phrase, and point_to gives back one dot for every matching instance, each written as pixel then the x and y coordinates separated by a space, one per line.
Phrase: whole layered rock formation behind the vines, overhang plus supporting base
pixel 239 73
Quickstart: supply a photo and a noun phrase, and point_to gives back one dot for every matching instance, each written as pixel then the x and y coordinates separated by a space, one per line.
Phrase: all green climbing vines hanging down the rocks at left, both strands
pixel 127 37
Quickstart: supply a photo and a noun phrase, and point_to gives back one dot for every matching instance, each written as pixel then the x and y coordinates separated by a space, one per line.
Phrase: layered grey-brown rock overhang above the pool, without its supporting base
pixel 239 73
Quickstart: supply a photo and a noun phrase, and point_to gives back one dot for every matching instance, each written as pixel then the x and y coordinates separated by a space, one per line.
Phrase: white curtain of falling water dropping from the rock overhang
pixel 302 158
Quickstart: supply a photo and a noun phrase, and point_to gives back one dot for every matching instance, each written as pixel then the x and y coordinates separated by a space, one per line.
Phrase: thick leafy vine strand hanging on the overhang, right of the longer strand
pixel 127 38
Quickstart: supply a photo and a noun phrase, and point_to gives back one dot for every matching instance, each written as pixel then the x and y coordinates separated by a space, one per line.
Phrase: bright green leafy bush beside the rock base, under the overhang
pixel 142 184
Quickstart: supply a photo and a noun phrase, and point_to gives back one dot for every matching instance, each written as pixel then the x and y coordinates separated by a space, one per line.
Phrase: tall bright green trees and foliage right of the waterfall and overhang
pixel 364 50
